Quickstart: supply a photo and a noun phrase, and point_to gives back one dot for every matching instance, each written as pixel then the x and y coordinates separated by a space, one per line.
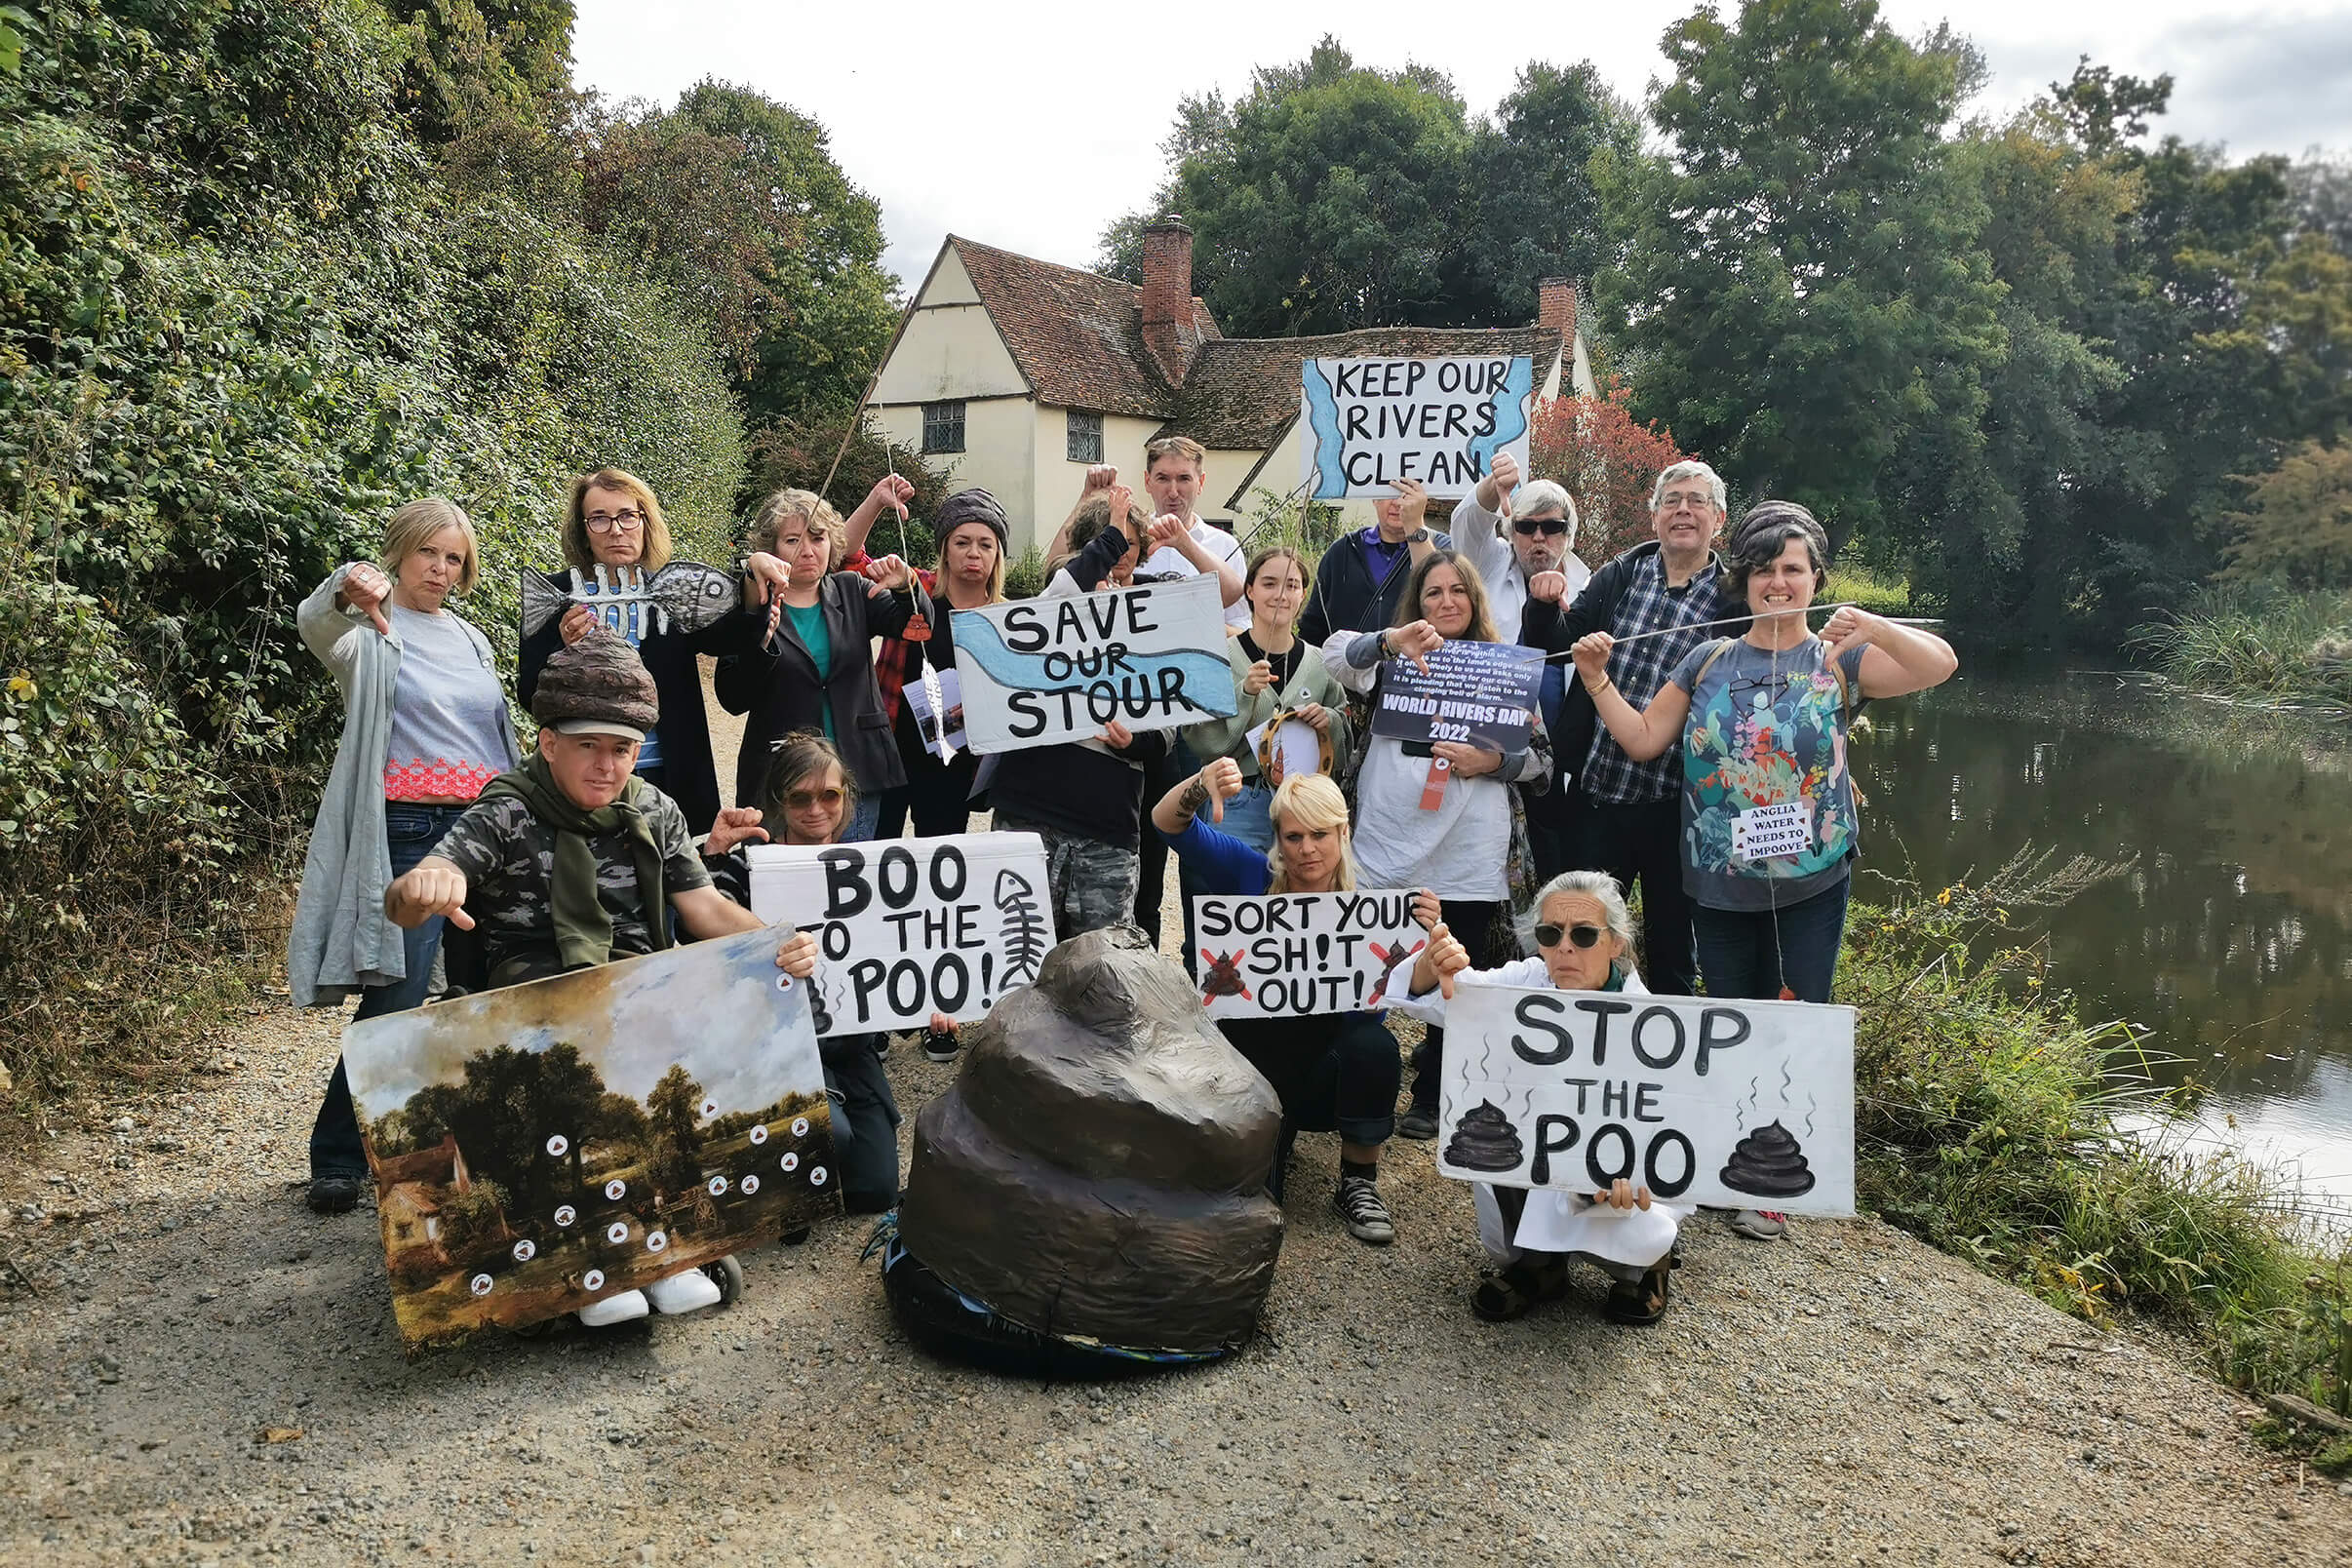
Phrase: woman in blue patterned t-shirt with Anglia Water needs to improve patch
pixel 1768 789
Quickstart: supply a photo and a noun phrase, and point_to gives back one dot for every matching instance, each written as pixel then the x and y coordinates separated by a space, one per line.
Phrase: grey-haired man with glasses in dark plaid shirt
pixel 1626 817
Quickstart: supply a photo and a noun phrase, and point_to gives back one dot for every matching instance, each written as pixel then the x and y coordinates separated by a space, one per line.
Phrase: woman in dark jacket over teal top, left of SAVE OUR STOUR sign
pixel 815 669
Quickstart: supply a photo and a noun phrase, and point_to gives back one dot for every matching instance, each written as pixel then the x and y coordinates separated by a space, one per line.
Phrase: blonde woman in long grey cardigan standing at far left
pixel 425 730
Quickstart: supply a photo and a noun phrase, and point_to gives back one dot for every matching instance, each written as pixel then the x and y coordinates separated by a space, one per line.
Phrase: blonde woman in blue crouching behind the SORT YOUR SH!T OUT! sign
pixel 1332 1071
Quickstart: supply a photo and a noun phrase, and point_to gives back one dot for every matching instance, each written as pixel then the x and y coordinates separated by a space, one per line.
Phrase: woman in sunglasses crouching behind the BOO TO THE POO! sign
pixel 813 800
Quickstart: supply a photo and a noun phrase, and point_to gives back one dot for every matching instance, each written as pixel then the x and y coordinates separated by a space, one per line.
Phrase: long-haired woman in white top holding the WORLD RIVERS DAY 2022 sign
pixel 1462 845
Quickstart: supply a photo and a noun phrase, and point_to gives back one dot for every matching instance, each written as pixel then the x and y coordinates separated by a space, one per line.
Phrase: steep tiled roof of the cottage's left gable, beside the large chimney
pixel 1078 337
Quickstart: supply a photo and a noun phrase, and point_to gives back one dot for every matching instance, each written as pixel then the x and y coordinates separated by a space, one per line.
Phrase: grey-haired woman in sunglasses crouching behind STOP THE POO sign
pixel 1579 930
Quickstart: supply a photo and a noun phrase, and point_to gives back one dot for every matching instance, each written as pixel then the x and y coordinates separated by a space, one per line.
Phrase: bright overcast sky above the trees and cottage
pixel 1036 126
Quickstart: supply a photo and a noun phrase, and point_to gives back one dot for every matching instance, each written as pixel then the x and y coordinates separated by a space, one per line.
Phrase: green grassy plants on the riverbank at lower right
pixel 2000 1130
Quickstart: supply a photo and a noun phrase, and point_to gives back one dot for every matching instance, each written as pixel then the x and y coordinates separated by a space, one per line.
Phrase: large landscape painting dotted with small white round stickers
pixel 544 1146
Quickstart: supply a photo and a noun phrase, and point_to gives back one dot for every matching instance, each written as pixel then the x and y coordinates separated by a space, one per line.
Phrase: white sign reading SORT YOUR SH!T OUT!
pixel 1290 956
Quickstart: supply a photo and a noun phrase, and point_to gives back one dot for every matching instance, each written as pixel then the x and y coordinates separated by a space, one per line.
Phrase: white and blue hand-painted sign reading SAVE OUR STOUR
pixel 1048 671
